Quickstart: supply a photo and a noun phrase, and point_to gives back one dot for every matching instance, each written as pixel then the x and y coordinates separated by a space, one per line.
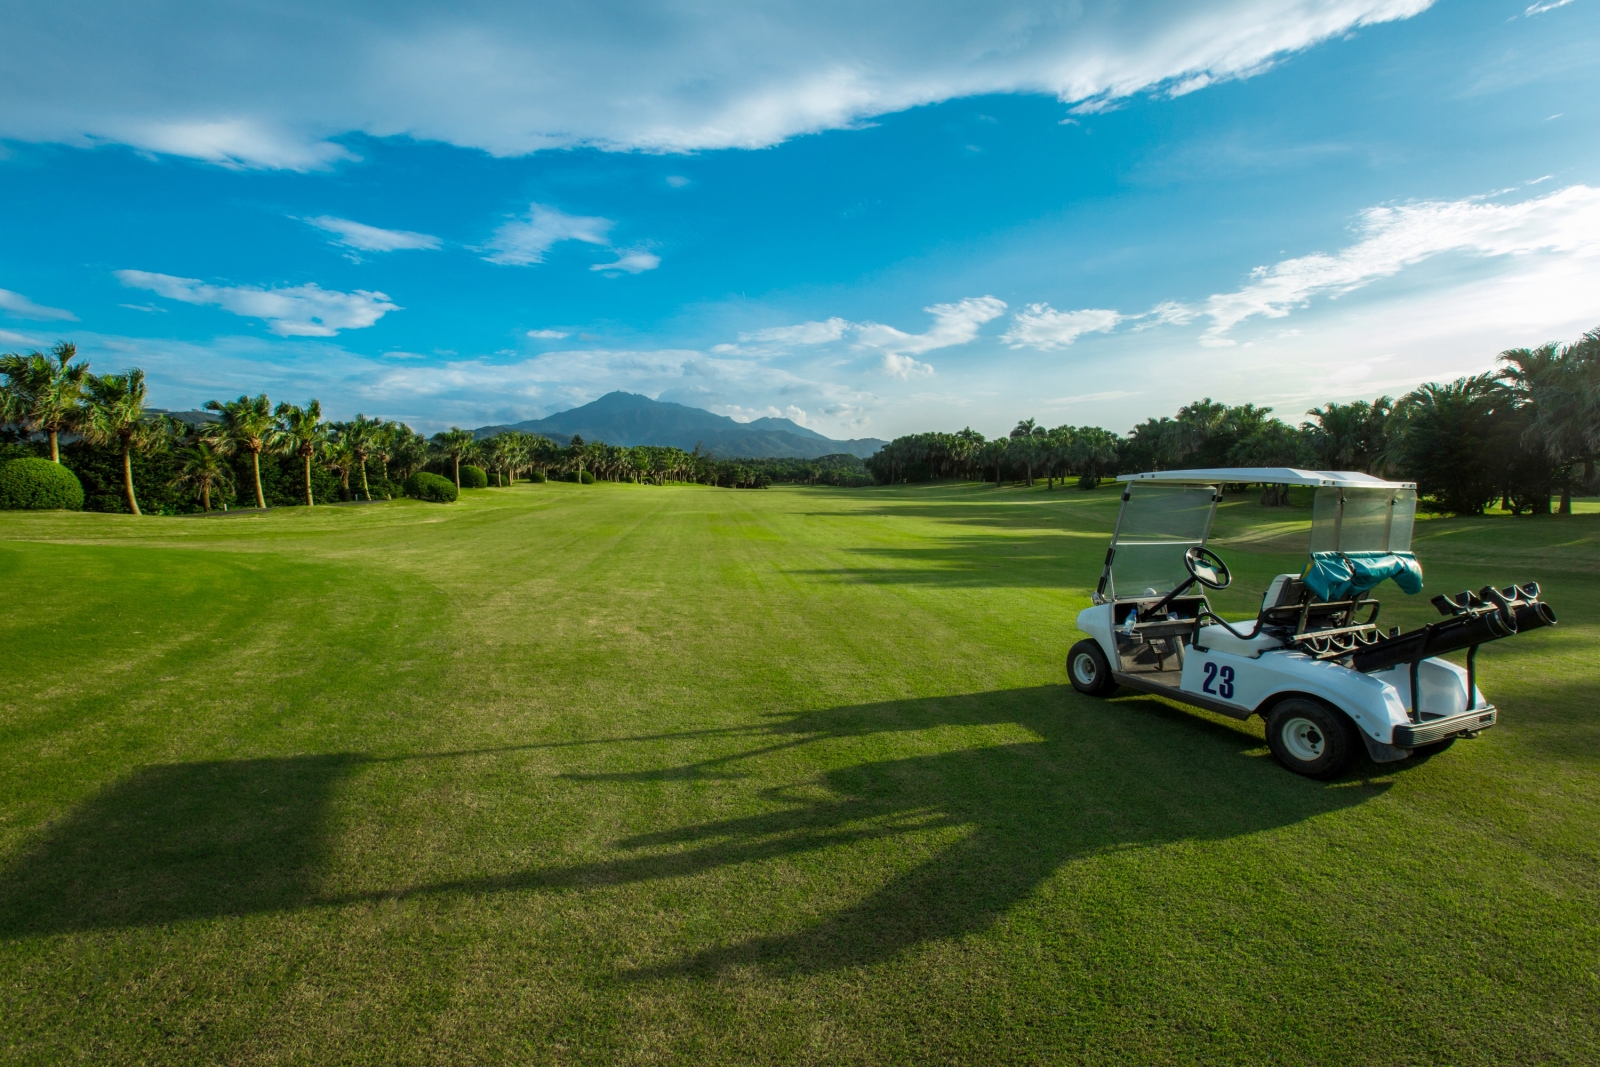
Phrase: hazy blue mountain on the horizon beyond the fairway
pixel 623 418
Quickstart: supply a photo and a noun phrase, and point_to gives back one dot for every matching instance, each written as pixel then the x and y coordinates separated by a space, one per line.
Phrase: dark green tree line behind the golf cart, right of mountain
pixel 1521 436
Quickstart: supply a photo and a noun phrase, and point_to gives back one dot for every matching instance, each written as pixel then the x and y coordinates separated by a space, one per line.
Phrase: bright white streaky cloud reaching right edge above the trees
pixel 1398 238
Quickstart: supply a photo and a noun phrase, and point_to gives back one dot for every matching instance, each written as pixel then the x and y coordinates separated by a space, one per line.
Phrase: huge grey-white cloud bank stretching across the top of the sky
pixel 518 78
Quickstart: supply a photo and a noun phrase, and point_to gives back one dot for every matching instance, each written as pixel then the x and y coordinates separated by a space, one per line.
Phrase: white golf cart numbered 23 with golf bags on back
pixel 1313 663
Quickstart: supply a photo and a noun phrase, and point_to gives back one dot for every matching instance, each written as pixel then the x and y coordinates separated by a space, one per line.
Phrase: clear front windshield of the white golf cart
pixel 1154 530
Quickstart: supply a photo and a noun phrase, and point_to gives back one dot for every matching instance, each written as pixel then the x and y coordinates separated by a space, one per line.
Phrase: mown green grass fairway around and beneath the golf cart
pixel 625 775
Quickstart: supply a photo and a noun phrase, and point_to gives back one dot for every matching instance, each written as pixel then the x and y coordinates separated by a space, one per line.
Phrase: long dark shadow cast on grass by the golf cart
pixel 238 837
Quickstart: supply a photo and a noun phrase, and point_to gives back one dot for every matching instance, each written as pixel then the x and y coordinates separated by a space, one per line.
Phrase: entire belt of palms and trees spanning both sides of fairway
pixel 1524 434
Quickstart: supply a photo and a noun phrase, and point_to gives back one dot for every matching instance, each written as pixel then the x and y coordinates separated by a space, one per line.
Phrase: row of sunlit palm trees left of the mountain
pixel 265 455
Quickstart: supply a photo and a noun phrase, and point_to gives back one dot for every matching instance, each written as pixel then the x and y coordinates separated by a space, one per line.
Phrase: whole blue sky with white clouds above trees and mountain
pixel 873 223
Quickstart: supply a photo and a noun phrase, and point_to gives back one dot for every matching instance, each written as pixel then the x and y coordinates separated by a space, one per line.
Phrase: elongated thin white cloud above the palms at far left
pixel 303 311
